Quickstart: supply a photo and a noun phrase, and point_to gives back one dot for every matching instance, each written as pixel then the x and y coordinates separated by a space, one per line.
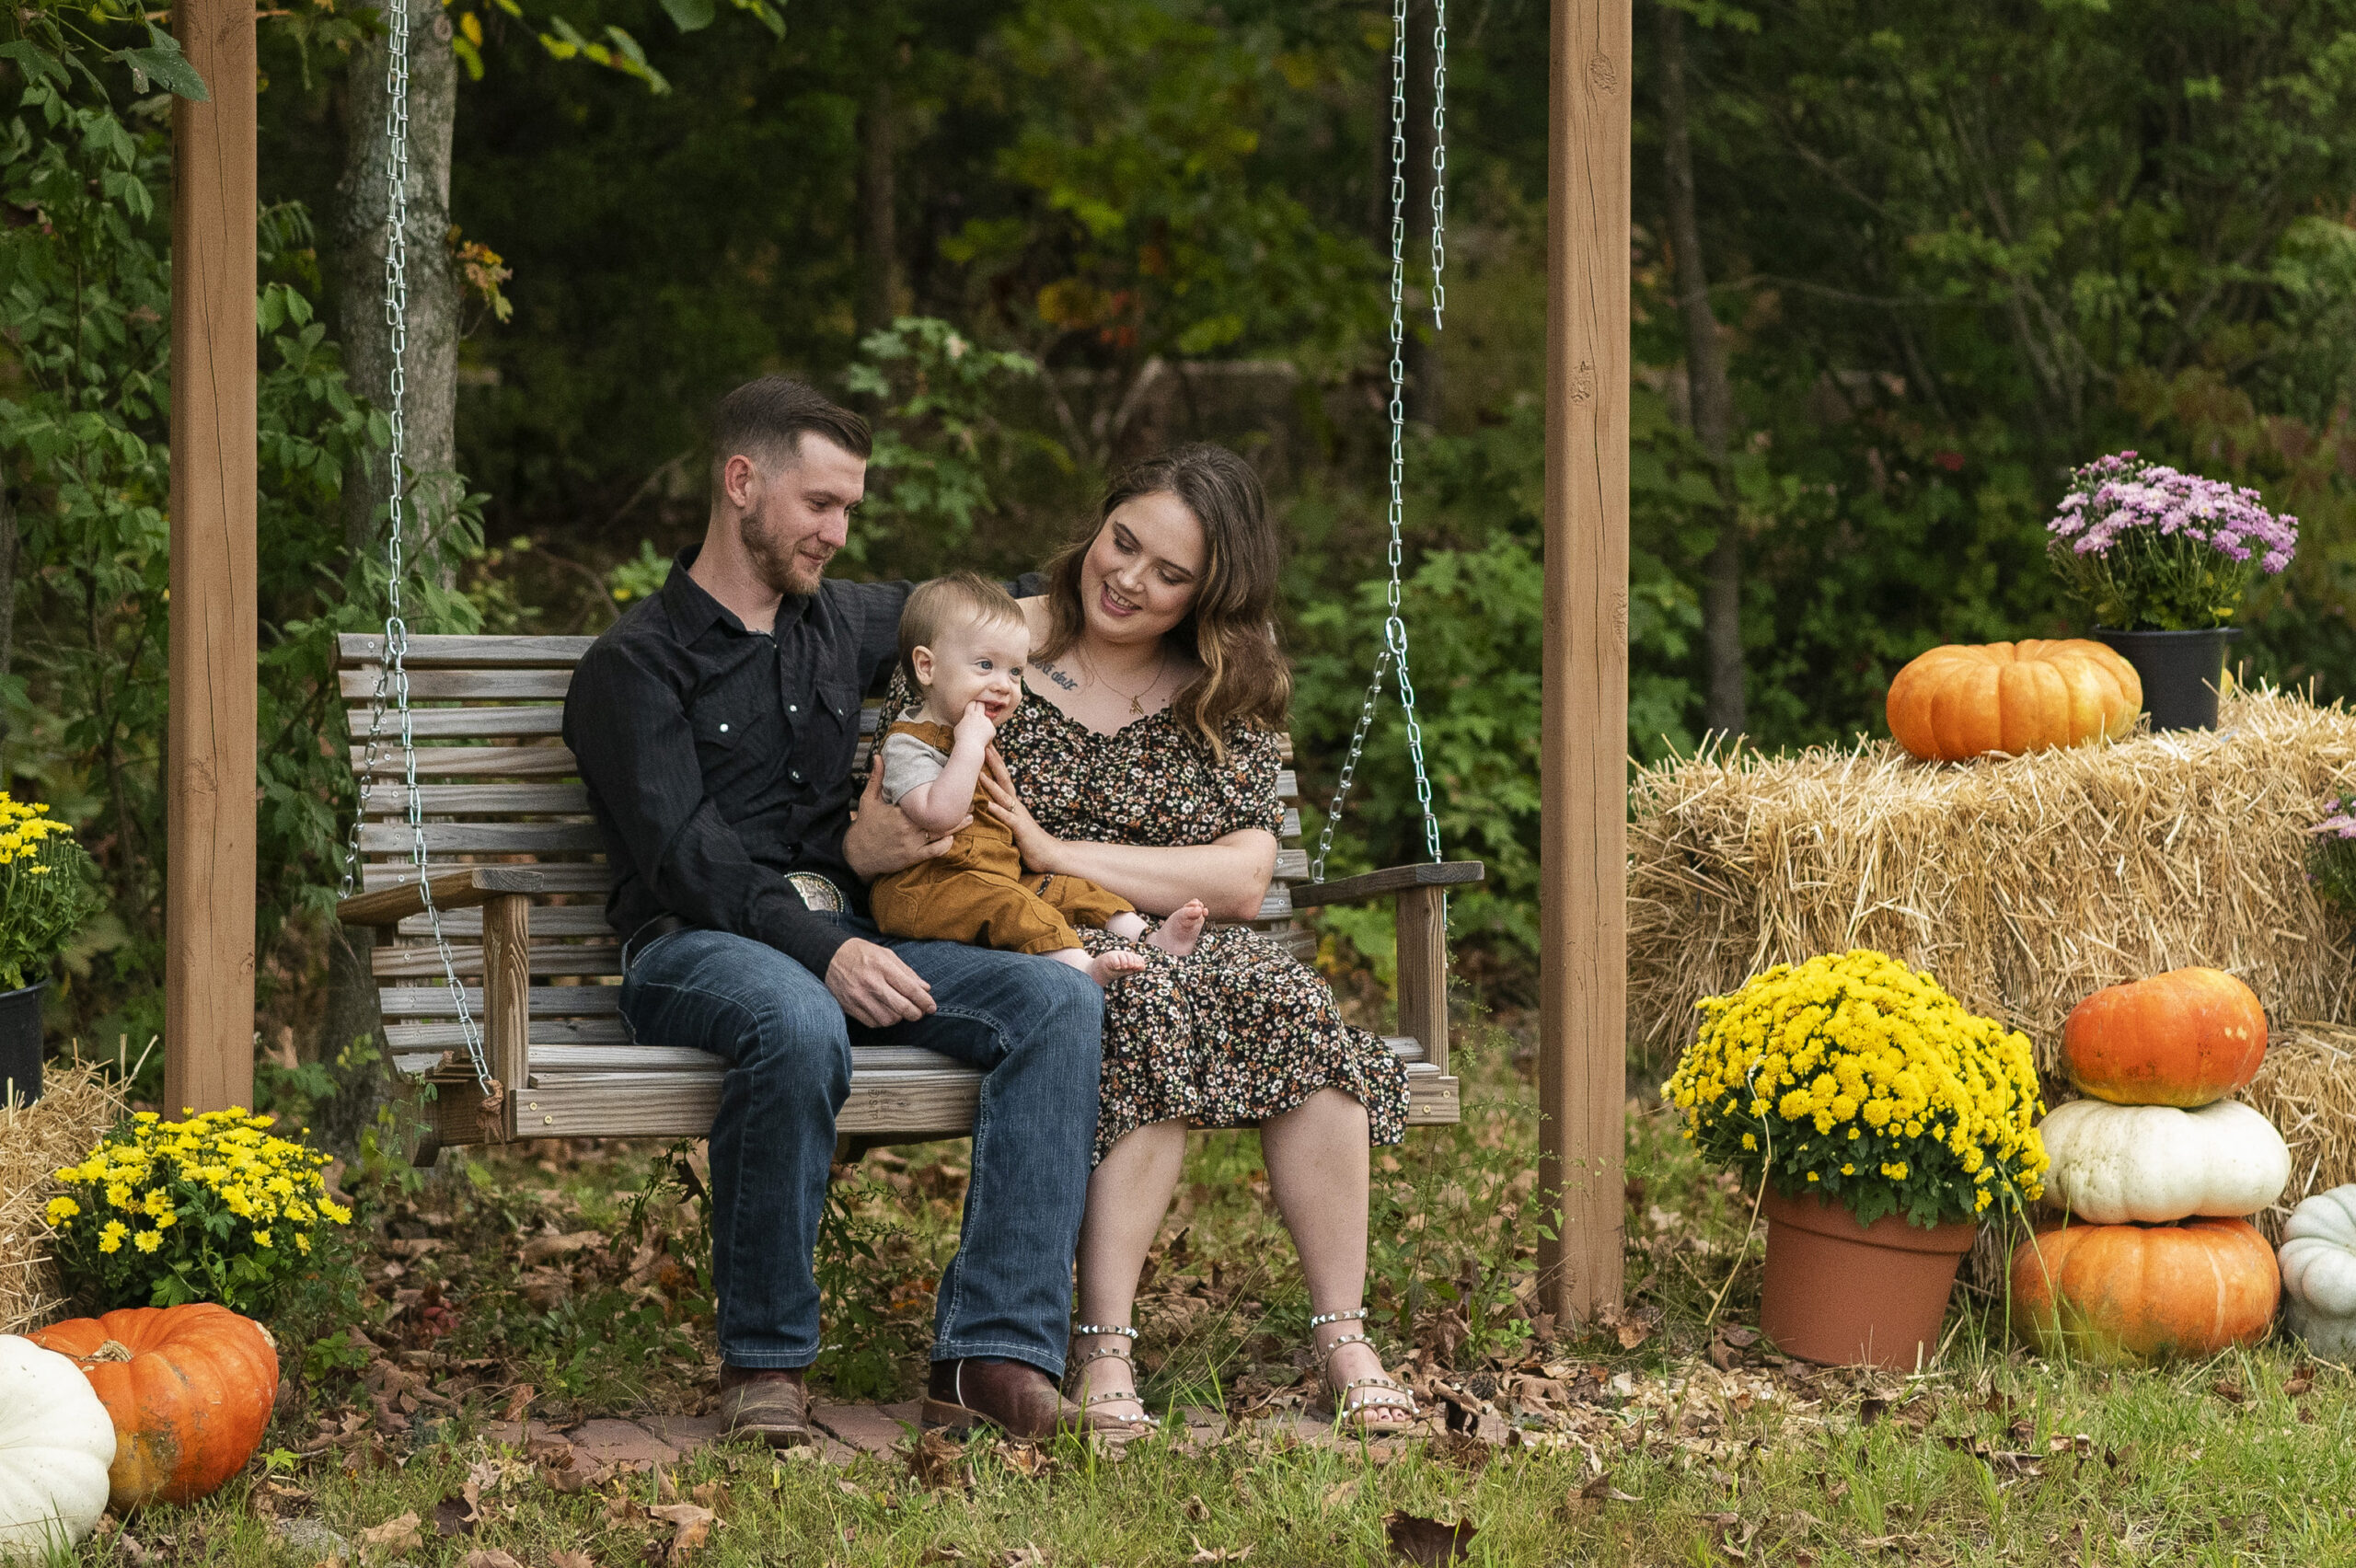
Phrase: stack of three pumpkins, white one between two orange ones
pixel 2157 1171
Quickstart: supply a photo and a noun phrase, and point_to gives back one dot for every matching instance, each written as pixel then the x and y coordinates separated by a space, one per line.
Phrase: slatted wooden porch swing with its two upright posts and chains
pixel 494 844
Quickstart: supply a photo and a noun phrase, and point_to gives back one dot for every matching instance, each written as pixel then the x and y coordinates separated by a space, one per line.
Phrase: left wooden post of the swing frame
pixel 209 985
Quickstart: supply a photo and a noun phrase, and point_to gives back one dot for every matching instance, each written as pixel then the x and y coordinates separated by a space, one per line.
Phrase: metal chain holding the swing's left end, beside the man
pixel 392 670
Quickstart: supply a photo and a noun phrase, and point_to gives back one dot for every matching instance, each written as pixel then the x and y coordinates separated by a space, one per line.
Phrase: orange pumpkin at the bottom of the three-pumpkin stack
pixel 2145 1291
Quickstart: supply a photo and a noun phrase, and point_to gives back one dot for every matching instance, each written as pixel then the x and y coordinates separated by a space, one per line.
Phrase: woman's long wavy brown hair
pixel 1233 625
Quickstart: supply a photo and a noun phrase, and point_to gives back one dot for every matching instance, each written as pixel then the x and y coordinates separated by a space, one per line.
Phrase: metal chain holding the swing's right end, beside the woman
pixel 1394 625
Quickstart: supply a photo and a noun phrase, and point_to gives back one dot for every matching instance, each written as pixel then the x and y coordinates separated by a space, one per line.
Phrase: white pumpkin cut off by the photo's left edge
pixel 55 1449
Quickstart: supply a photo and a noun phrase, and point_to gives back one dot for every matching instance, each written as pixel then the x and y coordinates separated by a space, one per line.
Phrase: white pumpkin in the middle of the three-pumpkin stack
pixel 2155 1164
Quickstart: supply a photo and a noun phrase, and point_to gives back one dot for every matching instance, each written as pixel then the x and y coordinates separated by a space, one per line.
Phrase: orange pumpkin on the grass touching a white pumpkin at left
pixel 190 1393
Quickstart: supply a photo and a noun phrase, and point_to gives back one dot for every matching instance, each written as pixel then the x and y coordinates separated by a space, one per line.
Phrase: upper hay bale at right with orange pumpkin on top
pixel 2023 884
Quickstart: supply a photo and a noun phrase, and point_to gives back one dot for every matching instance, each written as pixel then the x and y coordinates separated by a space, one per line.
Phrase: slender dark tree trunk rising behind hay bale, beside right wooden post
pixel 1707 390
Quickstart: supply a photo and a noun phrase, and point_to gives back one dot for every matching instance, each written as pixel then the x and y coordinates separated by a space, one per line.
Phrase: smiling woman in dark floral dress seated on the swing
pixel 1146 762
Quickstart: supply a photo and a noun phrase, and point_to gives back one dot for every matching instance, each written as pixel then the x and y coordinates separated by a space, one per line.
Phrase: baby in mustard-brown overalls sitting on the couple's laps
pixel 965 646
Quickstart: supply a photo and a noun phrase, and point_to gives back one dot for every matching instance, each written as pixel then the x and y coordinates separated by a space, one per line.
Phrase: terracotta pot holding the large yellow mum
pixel 1851 1294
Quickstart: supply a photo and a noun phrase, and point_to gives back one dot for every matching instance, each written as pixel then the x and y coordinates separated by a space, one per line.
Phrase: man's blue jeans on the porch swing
pixel 1028 1023
